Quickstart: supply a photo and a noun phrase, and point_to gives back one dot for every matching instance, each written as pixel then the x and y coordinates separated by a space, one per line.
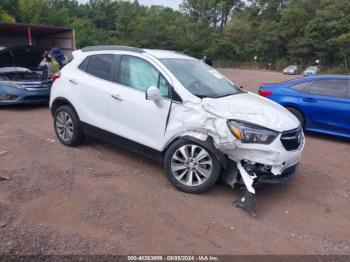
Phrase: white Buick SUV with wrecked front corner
pixel 178 110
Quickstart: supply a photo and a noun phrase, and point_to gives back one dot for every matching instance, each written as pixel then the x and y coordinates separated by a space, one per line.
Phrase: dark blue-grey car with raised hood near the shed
pixel 22 81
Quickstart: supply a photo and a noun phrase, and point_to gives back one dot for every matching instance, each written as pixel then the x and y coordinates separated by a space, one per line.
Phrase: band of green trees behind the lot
pixel 278 32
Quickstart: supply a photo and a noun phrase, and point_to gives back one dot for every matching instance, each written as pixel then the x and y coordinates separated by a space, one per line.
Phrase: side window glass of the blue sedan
pixel 330 87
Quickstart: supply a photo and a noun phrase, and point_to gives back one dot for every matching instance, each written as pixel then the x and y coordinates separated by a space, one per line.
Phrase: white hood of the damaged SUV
pixel 253 109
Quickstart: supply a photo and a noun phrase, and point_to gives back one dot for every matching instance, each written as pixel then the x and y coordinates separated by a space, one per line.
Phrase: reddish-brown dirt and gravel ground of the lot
pixel 98 199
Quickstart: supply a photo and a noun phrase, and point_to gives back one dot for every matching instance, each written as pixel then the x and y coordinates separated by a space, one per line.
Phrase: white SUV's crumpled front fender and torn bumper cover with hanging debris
pixel 198 122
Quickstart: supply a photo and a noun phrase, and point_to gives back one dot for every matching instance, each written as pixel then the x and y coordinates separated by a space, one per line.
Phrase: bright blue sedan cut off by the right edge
pixel 321 103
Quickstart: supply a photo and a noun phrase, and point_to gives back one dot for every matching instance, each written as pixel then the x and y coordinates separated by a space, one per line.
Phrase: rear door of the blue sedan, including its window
pixel 327 105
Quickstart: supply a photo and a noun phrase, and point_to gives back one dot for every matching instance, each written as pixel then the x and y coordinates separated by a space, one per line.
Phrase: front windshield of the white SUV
pixel 200 79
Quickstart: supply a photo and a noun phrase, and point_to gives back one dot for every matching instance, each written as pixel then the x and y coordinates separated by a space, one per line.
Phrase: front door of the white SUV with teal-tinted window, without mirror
pixel 131 115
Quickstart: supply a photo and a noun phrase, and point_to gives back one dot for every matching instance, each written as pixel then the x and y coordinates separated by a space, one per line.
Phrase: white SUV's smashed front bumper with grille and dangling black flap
pixel 254 164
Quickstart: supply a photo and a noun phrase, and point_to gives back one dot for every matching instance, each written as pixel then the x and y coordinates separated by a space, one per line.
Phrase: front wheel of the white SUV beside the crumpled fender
pixel 201 162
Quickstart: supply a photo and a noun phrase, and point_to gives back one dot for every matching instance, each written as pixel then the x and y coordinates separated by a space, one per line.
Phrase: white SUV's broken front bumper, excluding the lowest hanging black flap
pixel 273 163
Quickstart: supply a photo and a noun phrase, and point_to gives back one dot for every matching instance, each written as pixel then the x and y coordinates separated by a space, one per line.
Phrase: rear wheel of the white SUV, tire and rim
pixel 67 126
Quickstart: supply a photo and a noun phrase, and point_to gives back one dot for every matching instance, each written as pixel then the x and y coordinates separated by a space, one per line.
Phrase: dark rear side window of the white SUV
pixel 98 65
